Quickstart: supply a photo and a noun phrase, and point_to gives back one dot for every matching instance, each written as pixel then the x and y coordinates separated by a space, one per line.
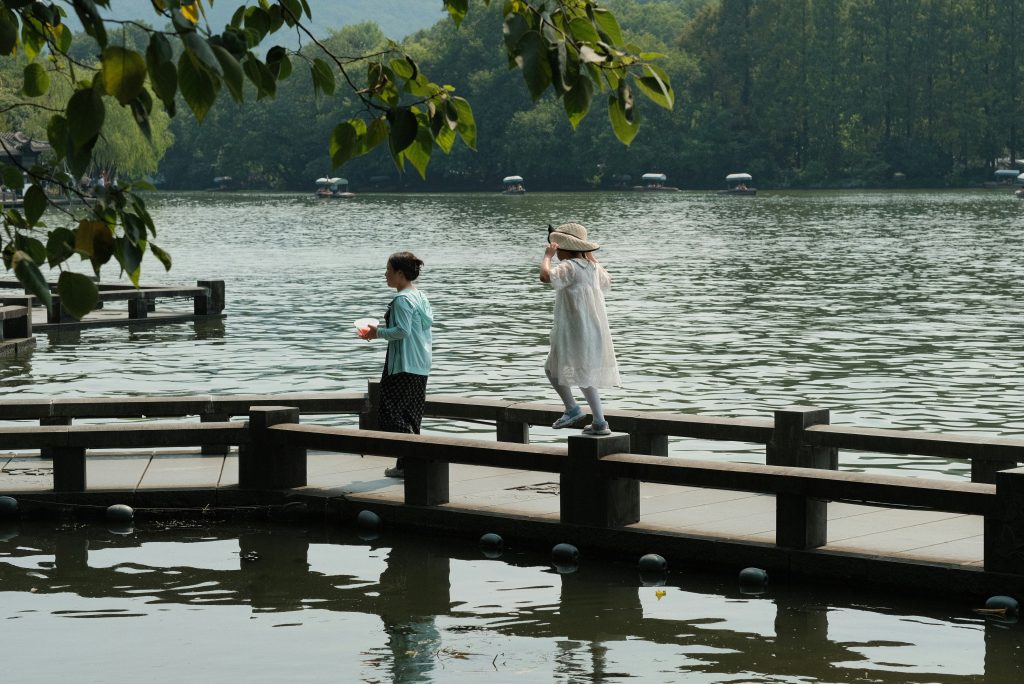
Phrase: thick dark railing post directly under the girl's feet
pixel 587 497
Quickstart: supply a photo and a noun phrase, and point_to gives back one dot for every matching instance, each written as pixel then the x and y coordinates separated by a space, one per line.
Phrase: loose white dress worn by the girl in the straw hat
pixel 582 354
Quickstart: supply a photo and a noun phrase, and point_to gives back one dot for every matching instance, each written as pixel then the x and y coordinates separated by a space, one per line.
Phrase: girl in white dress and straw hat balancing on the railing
pixel 582 353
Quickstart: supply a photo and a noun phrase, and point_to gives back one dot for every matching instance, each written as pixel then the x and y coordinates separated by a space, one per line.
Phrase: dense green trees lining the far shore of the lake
pixel 800 94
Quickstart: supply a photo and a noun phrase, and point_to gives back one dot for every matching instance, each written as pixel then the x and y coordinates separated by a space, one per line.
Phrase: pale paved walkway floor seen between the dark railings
pixel 928 537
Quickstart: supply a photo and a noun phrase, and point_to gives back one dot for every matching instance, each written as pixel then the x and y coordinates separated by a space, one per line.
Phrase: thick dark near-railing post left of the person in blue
pixel 268 463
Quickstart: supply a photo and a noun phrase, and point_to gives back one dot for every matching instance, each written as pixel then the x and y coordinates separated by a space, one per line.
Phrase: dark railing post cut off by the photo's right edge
pixel 1005 526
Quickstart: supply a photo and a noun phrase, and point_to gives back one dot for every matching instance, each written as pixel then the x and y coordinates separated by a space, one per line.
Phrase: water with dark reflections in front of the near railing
pixel 241 605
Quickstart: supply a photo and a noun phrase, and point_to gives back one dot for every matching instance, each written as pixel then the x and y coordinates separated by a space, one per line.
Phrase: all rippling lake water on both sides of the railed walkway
pixel 892 310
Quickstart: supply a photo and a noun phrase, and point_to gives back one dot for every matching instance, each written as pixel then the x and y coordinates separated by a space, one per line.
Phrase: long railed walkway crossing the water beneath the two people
pixel 796 516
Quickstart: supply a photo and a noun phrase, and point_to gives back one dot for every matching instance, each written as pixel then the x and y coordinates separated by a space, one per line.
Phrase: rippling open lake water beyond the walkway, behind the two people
pixel 897 310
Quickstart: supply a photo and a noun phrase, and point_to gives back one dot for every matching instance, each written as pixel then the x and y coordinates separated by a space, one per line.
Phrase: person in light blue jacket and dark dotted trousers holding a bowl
pixel 407 329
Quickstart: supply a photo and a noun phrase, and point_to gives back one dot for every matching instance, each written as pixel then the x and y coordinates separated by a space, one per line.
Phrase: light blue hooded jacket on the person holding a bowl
pixel 409 337
